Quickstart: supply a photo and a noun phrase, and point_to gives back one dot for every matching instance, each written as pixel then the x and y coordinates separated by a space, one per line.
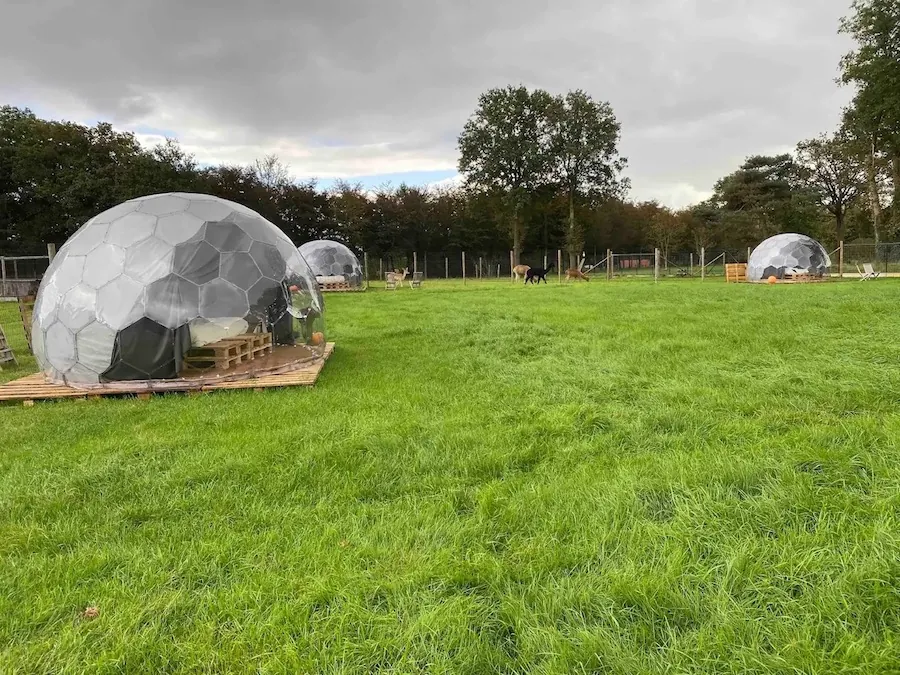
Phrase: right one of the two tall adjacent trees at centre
pixel 584 156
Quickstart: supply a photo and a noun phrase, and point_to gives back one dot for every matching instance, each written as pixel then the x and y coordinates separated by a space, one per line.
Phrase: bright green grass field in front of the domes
pixel 619 477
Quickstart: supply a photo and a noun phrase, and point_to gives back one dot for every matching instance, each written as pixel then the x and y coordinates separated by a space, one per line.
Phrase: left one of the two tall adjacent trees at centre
pixel 505 146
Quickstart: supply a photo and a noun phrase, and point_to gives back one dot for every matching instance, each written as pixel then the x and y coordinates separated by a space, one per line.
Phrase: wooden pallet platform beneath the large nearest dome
pixel 35 387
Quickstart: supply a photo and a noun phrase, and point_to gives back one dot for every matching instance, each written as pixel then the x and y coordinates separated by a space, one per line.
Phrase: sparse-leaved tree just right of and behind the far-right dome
pixel 832 170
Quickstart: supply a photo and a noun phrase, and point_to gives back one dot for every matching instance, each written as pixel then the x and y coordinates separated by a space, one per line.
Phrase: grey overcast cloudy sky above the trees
pixel 378 91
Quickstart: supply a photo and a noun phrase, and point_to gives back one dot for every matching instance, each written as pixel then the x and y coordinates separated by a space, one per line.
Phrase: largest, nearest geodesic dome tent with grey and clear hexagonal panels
pixel 139 286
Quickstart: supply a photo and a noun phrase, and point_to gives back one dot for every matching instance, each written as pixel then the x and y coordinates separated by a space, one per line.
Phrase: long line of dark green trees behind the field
pixel 541 172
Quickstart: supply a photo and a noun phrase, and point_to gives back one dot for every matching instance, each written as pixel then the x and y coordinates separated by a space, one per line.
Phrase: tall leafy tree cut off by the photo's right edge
pixel 874 67
